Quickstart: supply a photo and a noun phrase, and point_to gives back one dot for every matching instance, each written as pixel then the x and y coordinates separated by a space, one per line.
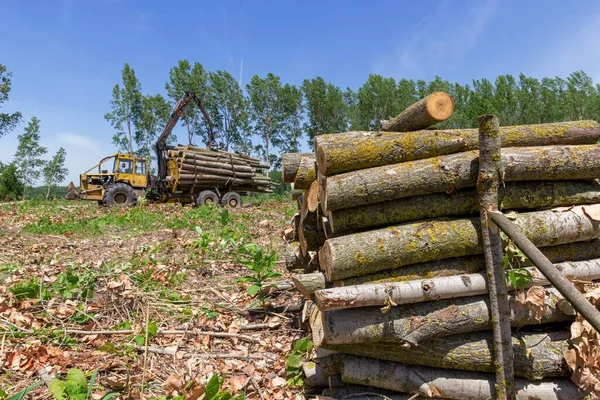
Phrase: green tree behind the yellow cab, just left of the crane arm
pixel 154 114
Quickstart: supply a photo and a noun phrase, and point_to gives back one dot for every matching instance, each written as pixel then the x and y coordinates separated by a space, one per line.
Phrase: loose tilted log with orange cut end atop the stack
pixel 436 107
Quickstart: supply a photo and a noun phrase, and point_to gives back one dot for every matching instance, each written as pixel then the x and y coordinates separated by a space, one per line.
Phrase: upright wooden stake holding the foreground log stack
pixel 488 182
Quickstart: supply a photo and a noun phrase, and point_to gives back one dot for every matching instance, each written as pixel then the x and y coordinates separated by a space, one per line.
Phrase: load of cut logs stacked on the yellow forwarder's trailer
pixel 200 168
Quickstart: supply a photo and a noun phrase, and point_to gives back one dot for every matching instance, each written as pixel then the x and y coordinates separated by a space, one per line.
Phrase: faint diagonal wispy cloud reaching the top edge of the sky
pixel 442 38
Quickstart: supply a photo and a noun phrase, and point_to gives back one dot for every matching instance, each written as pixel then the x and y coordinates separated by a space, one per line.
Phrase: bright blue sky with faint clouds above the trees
pixel 66 55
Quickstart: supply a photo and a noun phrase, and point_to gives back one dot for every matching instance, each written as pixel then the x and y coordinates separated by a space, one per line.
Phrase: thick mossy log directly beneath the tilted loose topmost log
pixel 351 151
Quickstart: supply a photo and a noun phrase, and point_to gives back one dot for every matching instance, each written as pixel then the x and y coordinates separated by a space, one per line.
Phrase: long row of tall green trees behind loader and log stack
pixel 280 116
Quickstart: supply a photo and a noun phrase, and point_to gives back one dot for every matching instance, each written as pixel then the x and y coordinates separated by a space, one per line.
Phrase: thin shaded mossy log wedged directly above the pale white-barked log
pixel 577 251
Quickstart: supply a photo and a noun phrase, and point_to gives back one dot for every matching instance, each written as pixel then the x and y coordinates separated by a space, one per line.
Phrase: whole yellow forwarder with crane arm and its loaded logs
pixel 186 174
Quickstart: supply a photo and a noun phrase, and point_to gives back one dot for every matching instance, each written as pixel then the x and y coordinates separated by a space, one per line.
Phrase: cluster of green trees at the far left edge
pixel 27 166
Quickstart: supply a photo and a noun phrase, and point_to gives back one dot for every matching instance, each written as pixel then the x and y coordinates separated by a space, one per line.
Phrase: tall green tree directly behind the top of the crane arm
pixel 183 78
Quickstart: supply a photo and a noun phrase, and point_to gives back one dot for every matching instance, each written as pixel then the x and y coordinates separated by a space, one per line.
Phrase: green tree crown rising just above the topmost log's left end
pixel 377 100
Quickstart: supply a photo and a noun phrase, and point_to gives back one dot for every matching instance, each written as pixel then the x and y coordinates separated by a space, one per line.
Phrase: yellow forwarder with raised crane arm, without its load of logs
pixel 129 178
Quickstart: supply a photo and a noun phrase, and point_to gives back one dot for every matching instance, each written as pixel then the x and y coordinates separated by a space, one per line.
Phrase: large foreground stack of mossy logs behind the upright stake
pixel 401 297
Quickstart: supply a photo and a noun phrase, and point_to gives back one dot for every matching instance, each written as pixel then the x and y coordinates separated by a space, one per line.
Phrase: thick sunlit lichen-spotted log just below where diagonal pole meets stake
pixel 400 245
